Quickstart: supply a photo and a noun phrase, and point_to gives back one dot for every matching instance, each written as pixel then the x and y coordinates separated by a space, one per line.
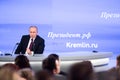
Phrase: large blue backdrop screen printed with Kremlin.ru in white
pixel 66 25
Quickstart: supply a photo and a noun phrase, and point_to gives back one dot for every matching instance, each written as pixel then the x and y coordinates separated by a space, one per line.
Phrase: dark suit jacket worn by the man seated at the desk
pixel 39 45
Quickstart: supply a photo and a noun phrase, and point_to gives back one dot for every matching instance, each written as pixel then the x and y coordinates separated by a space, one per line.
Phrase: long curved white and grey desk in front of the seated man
pixel 100 60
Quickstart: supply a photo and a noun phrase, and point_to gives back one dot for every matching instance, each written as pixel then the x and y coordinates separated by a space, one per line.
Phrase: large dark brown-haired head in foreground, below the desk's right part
pixel 81 71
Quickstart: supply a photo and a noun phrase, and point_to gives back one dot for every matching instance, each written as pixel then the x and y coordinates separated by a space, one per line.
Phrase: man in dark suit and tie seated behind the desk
pixel 31 44
